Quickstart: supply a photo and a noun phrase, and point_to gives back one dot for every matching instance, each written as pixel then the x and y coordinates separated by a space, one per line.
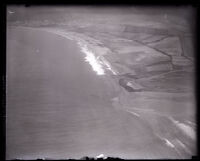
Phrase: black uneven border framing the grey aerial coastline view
pixel 3 5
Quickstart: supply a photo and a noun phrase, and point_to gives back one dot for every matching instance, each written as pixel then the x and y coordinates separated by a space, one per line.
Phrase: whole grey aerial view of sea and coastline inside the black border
pixel 100 82
